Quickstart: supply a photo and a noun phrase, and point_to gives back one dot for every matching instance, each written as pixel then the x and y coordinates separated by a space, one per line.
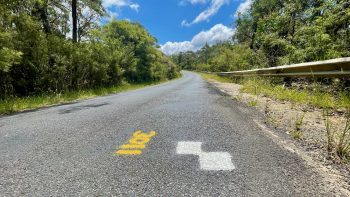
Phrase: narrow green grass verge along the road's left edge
pixel 12 105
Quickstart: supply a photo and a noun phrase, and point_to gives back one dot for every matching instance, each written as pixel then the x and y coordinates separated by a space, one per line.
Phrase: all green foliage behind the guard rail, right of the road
pixel 277 32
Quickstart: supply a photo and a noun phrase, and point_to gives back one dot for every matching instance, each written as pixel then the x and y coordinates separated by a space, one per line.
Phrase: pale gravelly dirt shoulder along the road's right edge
pixel 283 117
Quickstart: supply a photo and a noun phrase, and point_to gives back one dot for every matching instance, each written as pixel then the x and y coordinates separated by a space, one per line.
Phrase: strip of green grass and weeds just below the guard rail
pixel 334 97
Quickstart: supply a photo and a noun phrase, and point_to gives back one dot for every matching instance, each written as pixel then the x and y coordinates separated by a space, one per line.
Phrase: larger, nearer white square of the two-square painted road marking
pixel 216 161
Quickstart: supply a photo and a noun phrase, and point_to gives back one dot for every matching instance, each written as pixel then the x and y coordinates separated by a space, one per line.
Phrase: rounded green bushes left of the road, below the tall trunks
pixel 33 62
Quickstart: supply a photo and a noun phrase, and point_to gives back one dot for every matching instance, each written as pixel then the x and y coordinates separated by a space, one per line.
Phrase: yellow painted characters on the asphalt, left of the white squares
pixel 136 143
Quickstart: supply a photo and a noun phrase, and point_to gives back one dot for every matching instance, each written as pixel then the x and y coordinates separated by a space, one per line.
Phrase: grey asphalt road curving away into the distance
pixel 204 146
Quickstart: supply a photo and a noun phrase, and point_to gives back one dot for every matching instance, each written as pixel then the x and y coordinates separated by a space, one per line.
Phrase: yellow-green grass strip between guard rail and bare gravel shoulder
pixel 316 98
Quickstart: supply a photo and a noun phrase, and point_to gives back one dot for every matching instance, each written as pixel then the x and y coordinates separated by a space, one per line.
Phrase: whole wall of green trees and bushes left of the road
pixel 37 56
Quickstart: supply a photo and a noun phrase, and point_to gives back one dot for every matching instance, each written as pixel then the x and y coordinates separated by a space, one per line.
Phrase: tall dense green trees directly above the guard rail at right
pixel 296 31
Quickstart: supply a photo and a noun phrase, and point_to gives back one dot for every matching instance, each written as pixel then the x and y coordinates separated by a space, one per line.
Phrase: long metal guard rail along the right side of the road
pixel 330 68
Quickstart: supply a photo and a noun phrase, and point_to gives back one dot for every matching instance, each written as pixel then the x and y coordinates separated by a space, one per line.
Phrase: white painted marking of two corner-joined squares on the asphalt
pixel 207 160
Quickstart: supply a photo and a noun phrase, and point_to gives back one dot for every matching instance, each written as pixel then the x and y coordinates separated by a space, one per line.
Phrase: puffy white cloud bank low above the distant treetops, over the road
pixel 216 34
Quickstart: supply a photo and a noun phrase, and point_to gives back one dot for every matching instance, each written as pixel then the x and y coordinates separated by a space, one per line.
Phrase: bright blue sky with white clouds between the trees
pixel 181 25
